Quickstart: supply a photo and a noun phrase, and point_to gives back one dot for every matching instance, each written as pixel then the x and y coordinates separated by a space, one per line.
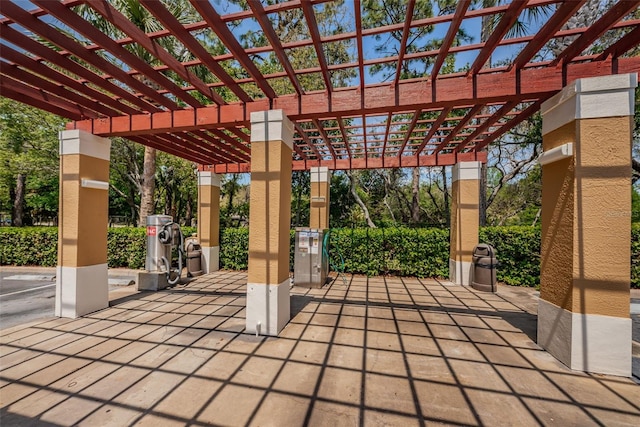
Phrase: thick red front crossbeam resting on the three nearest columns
pixel 455 91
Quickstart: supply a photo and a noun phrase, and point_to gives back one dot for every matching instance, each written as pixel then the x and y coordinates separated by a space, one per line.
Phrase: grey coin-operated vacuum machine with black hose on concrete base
pixel 166 255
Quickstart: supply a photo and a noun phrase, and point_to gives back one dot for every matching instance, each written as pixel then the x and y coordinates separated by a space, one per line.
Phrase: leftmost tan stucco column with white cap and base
pixel 82 284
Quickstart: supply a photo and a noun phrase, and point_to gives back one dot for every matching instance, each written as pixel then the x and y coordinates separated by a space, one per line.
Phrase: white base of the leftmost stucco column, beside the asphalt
pixel 81 290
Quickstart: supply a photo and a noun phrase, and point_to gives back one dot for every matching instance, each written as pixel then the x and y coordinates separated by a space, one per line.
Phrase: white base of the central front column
pixel 268 308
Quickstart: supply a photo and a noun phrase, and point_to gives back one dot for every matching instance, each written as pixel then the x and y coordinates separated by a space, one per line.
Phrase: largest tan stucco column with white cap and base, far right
pixel 583 313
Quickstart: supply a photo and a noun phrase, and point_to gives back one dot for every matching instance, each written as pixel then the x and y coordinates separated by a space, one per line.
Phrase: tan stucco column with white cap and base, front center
pixel 268 303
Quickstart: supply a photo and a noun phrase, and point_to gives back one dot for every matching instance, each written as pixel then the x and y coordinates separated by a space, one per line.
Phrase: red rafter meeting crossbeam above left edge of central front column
pixel 178 30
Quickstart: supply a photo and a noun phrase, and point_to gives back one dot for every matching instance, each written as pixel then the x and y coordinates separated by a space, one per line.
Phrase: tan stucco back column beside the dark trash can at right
pixel 465 220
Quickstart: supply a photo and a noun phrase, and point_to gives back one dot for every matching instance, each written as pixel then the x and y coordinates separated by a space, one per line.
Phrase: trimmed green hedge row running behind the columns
pixel 396 251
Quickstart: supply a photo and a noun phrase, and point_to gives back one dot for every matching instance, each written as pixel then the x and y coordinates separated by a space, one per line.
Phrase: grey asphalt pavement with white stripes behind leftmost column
pixel 28 294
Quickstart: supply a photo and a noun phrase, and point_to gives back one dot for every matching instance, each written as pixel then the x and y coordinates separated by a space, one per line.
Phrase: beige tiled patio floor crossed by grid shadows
pixel 372 351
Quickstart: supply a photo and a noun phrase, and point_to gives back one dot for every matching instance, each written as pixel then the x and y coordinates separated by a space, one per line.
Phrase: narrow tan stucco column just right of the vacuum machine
pixel 209 220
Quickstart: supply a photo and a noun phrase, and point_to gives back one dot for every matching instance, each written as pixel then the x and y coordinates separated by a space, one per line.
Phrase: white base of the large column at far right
pixel 586 342
